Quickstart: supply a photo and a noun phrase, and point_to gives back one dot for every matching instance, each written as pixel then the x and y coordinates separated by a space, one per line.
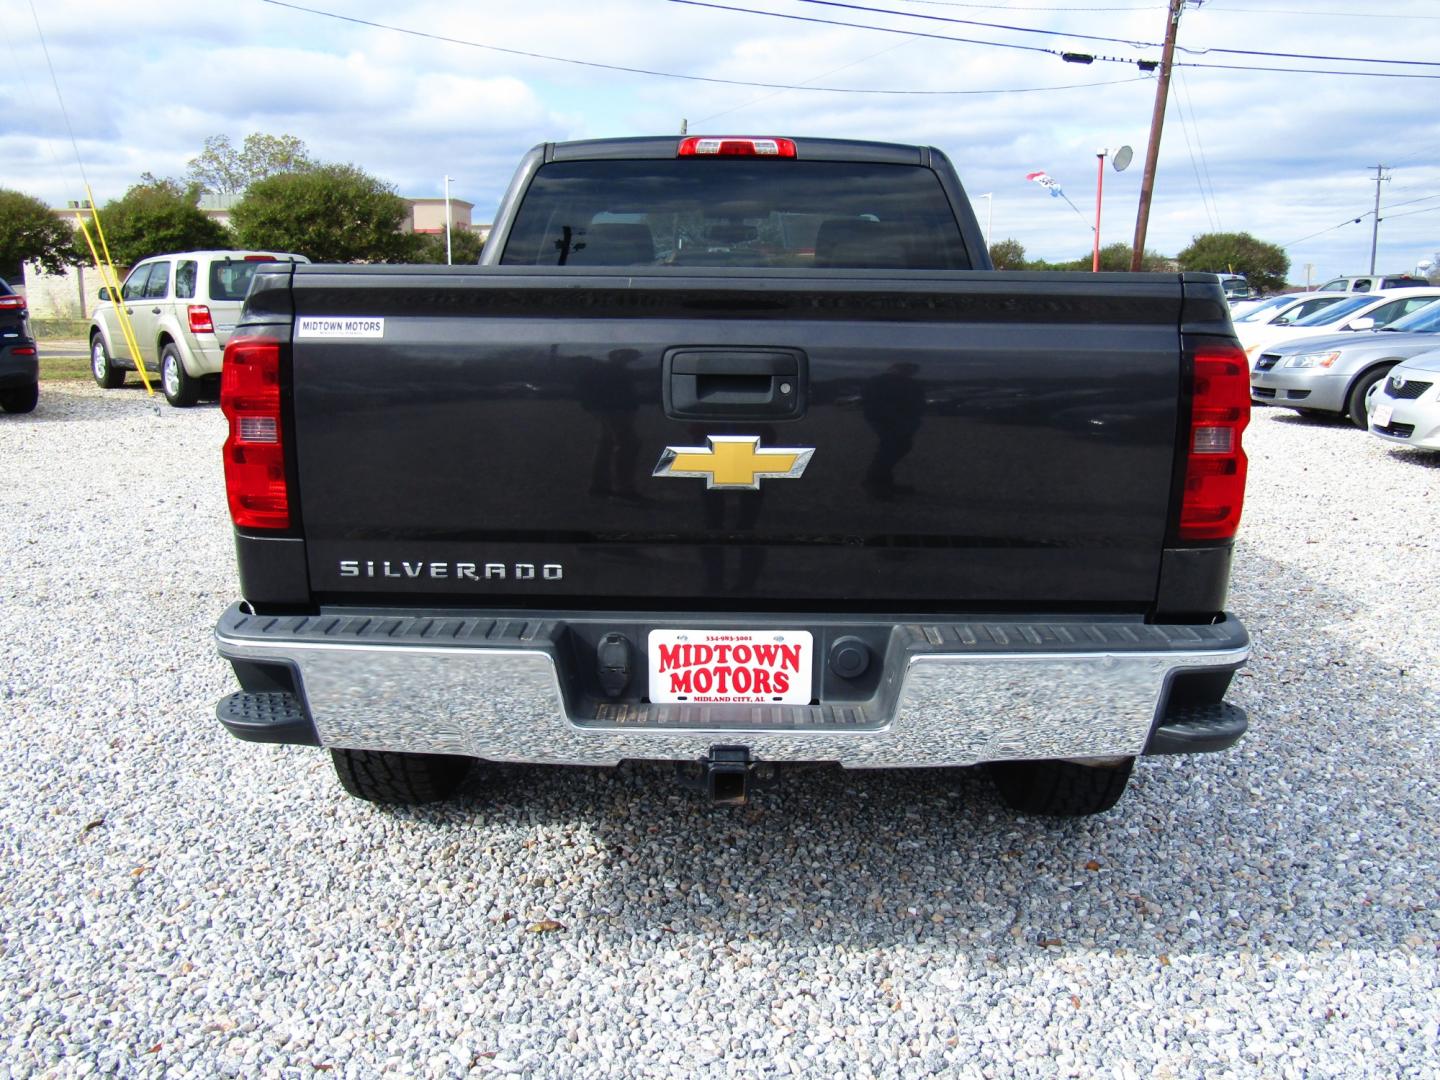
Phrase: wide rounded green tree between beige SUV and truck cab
pixel 330 214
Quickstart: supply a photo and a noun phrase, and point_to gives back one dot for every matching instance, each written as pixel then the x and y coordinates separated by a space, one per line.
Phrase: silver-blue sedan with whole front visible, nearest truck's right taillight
pixel 1334 374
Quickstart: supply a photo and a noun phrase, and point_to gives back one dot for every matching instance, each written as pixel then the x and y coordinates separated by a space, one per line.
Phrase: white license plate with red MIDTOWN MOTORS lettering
pixel 731 667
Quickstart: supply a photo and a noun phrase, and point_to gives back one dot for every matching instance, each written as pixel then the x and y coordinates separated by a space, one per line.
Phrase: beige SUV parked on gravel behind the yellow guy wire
pixel 182 309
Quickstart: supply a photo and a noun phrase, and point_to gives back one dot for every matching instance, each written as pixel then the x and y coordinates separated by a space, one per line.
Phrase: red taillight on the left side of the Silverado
pixel 256 450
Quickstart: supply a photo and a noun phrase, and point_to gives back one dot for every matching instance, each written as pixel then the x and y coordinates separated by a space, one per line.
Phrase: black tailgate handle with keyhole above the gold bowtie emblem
pixel 735 384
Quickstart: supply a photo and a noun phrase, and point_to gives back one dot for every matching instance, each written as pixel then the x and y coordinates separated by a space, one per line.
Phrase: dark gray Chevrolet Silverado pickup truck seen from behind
pixel 735 453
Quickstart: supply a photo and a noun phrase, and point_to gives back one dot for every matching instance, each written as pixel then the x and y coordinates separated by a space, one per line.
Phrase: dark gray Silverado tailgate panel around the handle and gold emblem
pixel 980 441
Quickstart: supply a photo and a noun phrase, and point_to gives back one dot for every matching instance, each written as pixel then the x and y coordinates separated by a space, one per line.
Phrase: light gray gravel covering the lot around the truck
pixel 175 902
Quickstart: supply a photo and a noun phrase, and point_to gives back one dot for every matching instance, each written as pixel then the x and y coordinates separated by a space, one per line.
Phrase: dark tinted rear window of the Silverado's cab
pixel 737 214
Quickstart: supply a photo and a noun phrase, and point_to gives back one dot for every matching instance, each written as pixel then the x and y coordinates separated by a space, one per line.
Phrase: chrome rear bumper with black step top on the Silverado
pixel 951 693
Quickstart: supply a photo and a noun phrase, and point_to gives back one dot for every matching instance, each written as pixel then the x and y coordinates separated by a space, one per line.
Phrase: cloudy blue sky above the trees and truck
pixel 1287 156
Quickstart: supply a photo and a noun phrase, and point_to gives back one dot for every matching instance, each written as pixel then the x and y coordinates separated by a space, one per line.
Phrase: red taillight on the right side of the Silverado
pixel 1216 462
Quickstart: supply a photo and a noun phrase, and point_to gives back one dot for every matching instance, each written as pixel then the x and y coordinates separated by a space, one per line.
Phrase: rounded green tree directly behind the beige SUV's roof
pixel 153 218
